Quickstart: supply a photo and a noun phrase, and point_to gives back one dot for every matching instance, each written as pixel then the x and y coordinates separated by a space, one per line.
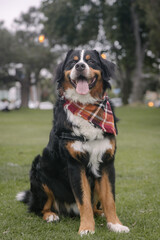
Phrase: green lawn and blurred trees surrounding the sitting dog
pixel 126 32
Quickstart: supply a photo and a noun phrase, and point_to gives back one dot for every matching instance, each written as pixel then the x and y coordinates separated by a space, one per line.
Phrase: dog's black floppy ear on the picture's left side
pixel 60 69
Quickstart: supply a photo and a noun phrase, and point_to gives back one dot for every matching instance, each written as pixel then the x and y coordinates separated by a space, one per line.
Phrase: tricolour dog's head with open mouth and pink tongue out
pixel 84 75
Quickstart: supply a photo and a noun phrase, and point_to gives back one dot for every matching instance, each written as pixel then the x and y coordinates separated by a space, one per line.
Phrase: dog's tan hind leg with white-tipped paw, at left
pixel 48 215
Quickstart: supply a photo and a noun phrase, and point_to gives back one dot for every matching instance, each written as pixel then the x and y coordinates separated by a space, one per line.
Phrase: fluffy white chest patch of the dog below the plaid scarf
pixel 96 146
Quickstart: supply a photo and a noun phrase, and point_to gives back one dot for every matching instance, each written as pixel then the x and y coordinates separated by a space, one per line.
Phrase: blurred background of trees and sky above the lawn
pixel 36 34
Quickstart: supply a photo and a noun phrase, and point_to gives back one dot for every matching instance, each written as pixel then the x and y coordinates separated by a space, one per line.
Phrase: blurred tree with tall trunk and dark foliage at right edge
pixel 146 30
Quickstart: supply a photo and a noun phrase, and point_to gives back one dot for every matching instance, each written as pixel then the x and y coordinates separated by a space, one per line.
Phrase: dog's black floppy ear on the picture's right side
pixel 108 69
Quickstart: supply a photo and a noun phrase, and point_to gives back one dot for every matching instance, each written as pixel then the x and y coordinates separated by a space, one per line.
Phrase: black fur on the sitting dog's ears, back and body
pixel 56 168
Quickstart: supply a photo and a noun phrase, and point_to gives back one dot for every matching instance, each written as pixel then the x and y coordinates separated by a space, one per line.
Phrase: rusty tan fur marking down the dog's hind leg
pixel 47 207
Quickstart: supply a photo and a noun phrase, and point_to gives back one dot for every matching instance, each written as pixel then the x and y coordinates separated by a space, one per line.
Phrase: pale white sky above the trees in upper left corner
pixel 11 9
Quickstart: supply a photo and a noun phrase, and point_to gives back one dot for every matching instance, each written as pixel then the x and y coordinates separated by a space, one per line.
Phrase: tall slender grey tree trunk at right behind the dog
pixel 137 87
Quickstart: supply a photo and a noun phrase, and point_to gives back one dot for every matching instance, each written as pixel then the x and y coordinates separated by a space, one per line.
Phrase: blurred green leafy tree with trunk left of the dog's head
pixel 23 47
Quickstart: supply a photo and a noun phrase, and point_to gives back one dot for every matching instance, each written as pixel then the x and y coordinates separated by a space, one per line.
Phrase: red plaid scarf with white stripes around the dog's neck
pixel 99 114
